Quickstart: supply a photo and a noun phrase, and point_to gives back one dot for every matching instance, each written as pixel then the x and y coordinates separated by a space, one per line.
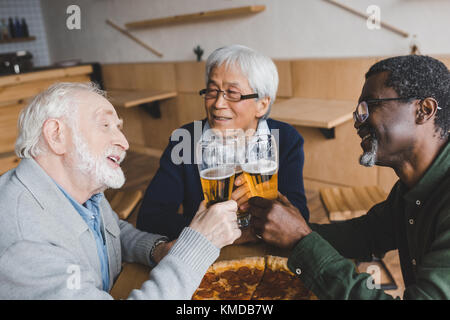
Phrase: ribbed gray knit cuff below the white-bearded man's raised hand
pixel 195 250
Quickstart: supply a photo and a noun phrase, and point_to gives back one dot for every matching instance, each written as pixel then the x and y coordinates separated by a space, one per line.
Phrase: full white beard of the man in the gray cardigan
pixel 97 168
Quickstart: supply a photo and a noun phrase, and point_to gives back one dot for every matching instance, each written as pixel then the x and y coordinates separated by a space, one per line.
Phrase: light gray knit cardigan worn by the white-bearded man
pixel 47 251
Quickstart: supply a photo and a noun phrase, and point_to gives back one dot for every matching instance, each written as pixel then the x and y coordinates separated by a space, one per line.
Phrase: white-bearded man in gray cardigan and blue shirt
pixel 59 238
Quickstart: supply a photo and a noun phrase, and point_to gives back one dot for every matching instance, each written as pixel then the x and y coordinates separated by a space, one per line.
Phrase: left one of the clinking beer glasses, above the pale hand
pixel 217 169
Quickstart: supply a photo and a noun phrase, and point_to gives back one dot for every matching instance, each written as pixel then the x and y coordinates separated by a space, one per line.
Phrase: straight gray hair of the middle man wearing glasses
pixel 261 72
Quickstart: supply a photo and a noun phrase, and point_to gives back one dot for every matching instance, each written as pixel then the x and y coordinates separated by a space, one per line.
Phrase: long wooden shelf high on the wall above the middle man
pixel 200 16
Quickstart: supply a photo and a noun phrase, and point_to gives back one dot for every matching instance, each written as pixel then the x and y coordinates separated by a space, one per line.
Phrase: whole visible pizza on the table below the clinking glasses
pixel 253 278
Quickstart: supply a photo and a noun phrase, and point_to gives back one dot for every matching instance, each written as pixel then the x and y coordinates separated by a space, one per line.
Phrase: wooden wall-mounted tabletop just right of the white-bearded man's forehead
pixel 132 98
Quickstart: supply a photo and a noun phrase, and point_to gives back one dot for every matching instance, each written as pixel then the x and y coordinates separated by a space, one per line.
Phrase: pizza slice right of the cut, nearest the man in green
pixel 279 283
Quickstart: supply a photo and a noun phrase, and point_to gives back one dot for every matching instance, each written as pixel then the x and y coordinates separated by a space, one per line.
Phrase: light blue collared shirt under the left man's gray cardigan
pixel 90 212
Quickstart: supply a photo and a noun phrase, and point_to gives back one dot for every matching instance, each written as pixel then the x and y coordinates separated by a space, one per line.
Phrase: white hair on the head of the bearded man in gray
pixel 58 101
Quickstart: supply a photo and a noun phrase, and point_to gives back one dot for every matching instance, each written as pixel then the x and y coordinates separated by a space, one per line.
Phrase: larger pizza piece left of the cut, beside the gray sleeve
pixel 231 280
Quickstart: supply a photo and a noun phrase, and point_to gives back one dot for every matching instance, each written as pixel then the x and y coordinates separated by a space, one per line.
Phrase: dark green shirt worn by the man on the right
pixel 415 221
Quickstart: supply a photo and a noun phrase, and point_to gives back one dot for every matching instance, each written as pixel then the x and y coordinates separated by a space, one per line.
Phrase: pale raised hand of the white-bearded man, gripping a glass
pixel 217 223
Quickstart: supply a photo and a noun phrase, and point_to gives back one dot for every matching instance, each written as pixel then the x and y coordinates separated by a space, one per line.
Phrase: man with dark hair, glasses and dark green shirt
pixel 403 120
